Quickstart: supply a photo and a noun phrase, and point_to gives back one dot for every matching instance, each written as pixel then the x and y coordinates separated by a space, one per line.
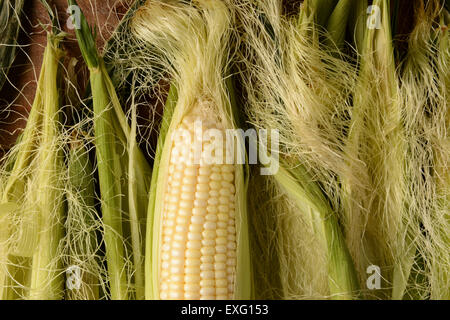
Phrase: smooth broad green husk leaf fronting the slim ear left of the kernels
pixel 108 151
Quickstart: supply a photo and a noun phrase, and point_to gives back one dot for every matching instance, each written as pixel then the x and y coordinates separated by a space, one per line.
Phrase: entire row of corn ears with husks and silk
pixel 347 198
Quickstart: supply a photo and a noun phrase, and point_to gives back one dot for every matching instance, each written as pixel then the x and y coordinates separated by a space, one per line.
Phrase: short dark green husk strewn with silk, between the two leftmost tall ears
pixel 82 225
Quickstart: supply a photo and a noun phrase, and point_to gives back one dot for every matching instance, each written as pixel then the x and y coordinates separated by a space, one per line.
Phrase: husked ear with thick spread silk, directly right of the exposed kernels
pixel 292 92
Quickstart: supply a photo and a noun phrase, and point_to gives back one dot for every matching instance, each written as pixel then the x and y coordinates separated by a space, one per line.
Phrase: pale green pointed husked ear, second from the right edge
pixel 376 210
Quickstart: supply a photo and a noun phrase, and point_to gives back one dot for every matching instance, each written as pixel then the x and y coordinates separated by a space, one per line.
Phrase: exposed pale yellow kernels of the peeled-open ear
pixel 198 234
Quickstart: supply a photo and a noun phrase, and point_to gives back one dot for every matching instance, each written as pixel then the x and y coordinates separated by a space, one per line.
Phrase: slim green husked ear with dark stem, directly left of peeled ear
pixel 123 172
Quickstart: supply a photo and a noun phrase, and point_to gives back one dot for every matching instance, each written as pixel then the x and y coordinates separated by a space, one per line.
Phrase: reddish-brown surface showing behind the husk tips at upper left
pixel 19 93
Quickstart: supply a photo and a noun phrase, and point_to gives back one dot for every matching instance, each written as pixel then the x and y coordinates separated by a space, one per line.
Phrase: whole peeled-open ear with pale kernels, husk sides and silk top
pixel 197 237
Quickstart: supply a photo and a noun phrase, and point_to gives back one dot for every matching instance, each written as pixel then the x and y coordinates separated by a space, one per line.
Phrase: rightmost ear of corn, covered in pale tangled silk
pixel 424 91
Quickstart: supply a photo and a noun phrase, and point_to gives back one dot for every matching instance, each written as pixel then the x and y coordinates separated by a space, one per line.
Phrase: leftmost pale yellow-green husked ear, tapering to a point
pixel 30 253
